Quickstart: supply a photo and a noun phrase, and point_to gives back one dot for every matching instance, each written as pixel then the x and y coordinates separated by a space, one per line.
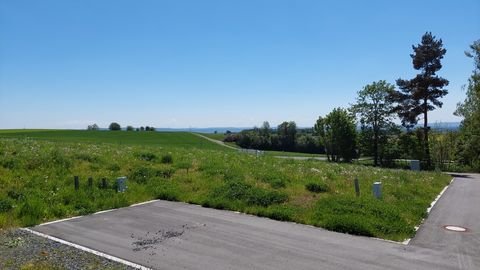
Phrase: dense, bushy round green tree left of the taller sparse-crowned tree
pixel 337 133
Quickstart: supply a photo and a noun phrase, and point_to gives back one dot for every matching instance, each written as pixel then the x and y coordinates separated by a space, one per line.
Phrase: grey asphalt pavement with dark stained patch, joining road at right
pixel 170 235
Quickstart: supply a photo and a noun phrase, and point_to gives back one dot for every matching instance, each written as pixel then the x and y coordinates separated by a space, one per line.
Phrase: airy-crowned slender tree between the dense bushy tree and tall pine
pixel 374 108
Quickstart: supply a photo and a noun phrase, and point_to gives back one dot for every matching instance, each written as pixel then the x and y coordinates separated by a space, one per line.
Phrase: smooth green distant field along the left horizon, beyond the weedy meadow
pixel 165 139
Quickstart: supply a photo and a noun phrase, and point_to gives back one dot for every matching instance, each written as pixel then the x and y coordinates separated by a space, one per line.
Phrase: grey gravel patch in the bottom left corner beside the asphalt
pixel 22 250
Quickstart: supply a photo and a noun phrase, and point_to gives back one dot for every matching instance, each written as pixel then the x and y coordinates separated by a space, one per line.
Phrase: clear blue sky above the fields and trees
pixel 179 63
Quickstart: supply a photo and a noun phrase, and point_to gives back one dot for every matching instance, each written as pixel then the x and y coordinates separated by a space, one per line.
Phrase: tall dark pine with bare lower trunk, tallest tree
pixel 421 94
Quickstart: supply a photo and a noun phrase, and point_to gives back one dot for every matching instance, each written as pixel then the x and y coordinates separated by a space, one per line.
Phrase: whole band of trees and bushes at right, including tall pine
pixel 366 128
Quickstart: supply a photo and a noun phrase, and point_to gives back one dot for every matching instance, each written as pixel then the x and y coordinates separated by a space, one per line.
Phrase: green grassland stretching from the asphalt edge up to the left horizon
pixel 37 169
